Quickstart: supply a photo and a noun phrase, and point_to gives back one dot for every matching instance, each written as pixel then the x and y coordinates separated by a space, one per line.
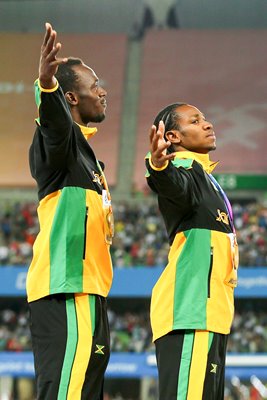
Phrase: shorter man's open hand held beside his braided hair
pixel 159 146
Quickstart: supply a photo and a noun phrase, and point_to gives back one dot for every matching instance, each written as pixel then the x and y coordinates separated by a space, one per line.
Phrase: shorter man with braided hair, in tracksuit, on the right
pixel 192 302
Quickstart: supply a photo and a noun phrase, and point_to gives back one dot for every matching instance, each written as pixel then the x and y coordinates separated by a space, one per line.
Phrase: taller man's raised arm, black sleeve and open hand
pixel 55 120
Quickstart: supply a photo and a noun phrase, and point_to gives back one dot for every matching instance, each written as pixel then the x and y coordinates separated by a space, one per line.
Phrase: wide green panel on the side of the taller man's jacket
pixel 67 239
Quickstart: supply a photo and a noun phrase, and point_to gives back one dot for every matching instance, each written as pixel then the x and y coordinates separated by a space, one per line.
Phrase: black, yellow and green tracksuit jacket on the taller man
pixel 71 253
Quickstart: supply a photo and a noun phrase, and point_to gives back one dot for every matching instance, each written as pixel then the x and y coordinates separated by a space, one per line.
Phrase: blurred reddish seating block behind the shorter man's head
pixel 220 72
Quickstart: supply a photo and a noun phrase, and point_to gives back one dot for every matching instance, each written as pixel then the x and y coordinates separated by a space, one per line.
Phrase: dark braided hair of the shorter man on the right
pixel 170 118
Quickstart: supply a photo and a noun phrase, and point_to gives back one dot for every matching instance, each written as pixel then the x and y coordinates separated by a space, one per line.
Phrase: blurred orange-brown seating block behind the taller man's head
pixel 106 54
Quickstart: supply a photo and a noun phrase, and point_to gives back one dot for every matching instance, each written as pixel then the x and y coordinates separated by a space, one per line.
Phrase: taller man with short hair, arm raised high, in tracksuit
pixel 71 271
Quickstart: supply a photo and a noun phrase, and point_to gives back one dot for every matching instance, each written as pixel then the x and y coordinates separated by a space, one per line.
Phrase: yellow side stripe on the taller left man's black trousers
pixel 84 347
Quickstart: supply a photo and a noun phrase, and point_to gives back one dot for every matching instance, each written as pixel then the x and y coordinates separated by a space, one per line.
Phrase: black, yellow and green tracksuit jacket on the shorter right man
pixel 195 290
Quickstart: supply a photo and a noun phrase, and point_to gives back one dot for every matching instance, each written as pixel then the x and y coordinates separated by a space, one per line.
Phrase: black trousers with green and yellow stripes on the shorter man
pixel 191 365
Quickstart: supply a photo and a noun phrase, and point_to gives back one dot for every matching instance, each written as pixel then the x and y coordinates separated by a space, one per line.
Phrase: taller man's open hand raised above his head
pixel 49 62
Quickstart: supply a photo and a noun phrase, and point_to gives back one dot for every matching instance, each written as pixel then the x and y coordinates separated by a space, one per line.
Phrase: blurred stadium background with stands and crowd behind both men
pixel 148 53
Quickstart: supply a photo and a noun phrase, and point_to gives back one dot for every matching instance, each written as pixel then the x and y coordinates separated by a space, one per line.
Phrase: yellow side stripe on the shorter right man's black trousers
pixel 198 365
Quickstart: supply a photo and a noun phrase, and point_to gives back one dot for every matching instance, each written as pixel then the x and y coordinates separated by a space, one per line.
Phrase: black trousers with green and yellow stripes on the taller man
pixel 71 346
